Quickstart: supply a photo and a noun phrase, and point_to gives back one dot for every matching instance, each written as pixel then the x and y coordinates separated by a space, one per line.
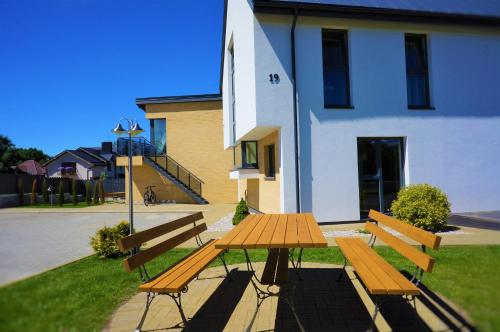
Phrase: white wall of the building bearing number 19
pixel 455 147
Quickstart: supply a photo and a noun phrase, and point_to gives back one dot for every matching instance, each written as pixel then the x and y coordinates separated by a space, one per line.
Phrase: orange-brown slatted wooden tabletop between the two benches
pixel 299 230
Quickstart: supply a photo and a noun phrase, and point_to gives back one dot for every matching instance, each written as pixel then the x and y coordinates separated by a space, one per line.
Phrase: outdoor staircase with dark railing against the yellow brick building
pixel 179 176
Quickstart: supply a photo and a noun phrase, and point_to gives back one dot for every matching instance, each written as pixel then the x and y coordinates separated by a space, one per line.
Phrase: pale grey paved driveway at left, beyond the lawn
pixel 31 243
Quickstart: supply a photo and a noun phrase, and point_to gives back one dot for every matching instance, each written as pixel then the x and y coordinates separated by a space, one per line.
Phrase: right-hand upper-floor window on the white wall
pixel 417 76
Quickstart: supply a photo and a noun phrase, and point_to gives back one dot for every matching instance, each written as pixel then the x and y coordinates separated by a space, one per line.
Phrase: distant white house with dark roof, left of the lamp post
pixel 85 163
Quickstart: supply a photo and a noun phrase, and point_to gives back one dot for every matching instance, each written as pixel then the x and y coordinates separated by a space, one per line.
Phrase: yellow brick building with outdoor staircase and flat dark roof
pixel 189 163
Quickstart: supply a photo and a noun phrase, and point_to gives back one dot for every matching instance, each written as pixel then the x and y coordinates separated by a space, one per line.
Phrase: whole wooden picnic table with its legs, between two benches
pixel 281 234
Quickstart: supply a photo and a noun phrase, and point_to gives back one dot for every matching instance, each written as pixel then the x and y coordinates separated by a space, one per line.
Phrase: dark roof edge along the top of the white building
pixel 485 12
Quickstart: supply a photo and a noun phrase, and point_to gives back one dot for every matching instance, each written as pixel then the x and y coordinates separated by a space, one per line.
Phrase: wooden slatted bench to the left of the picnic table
pixel 174 280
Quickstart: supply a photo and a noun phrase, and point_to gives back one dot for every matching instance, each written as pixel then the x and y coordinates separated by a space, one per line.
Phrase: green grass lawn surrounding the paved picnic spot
pixel 82 295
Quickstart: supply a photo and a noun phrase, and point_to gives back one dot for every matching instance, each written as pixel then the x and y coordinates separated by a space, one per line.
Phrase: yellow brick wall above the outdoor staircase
pixel 195 140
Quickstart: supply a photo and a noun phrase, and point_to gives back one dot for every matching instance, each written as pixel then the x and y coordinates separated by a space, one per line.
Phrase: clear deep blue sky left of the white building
pixel 70 69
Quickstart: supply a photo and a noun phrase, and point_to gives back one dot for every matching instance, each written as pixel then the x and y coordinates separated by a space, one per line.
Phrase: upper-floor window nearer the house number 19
pixel 336 69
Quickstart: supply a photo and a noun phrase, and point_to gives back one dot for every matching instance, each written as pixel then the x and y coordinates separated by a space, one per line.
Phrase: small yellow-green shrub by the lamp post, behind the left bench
pixel 104 240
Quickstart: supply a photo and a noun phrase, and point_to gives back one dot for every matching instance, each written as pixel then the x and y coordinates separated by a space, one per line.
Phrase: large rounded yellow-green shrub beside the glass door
pixel 423 206
